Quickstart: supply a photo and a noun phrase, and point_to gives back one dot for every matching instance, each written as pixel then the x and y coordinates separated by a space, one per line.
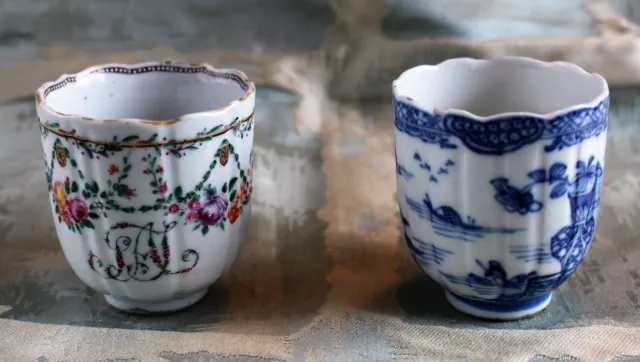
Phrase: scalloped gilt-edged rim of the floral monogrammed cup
pixel 88 72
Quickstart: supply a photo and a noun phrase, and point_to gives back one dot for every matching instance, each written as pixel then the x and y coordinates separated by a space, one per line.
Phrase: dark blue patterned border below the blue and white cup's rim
pixel 504 135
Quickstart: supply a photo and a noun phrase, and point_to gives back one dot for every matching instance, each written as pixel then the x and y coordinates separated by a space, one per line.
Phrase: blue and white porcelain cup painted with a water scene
pixel 500 165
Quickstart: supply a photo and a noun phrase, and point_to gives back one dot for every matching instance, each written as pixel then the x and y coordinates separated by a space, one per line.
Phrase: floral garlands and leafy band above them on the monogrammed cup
pixel 205 205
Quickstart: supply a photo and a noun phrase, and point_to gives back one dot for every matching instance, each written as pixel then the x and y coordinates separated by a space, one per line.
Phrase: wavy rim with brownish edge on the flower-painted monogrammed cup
pixel 165 66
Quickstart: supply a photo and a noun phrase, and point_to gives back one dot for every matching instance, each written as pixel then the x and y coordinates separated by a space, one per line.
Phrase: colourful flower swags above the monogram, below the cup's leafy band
pixel 205 205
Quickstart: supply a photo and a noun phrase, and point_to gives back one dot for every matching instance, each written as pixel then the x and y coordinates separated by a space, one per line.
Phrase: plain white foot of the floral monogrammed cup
pixel 174 305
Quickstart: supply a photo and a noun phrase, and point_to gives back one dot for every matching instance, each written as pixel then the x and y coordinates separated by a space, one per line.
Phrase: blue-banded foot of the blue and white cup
pixel 497 310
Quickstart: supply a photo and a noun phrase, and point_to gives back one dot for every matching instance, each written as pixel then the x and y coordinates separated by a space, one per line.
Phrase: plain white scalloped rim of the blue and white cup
pixel 474 63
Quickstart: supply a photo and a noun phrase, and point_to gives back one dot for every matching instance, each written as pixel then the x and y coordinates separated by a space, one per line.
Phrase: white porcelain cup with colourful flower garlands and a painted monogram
pixel 149 172
